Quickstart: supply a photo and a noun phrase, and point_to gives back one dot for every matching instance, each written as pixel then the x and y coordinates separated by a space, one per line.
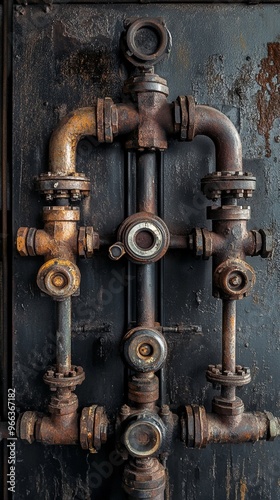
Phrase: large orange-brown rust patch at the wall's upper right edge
pixel 268 98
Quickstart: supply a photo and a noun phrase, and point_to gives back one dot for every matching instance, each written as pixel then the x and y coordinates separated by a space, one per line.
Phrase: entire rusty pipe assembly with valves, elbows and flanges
pixel 144 431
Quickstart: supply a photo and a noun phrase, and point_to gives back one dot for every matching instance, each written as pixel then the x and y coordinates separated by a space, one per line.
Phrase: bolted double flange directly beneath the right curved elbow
pixel 233 184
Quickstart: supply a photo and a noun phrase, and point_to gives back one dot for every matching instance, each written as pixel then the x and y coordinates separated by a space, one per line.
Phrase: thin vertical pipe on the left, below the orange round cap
pixel 63 336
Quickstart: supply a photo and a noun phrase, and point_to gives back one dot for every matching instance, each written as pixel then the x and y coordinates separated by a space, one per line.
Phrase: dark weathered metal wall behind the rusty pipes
pixel 227 56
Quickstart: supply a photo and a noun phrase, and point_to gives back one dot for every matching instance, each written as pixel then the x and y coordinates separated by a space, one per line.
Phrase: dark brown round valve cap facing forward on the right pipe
pixel 233 279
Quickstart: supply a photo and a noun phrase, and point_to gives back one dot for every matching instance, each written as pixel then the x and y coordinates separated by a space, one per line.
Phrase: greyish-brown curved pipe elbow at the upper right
pixel 219 128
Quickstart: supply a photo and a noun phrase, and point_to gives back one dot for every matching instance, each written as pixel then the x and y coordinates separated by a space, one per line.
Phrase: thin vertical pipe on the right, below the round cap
pixel 229 344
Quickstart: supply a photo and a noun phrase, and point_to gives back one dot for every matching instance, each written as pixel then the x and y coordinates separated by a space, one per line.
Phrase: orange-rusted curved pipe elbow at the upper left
pixel 65 138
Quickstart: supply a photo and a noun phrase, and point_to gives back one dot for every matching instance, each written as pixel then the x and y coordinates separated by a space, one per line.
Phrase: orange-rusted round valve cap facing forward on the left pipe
pixel 59 278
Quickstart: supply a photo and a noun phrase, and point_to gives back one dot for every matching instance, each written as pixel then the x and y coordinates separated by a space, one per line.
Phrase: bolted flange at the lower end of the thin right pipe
pixel 216 376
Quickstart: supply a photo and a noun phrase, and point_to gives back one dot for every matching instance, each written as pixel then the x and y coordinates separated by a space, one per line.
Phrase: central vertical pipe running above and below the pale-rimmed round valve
pixel 146 201
